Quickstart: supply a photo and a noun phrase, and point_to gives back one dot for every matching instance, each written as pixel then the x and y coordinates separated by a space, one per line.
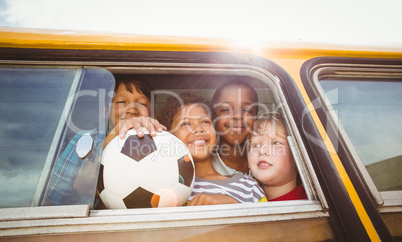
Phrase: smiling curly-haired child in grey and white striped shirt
pixel 190 120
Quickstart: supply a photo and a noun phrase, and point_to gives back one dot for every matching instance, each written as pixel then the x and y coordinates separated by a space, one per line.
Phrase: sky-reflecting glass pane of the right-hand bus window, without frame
pixel 371 114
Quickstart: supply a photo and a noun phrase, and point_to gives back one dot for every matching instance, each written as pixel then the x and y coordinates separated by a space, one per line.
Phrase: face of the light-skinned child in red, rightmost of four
pixel 270 159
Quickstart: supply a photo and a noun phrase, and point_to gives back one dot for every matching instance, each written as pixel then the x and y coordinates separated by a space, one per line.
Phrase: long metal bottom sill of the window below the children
pixel 79 219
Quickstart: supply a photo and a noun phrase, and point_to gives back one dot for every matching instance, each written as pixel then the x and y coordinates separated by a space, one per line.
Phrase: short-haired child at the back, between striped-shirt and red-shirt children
pixel 236 105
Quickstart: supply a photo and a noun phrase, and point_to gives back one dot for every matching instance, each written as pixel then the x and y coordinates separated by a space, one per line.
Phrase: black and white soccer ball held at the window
pixel 146 172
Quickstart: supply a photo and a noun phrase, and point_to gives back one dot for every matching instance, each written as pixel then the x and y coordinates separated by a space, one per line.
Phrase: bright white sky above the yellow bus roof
pixel 374 23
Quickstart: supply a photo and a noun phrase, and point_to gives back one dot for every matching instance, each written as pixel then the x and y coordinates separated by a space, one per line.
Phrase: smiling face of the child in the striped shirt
pixel 193 125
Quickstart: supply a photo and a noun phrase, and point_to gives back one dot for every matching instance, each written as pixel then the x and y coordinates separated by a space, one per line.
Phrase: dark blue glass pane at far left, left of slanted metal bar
pixel 31 103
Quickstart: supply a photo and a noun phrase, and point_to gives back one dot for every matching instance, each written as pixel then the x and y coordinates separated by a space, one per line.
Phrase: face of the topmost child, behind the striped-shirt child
pixel 235 111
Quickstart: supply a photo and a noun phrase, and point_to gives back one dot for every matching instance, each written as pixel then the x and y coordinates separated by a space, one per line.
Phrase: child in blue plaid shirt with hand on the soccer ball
pixel 73 179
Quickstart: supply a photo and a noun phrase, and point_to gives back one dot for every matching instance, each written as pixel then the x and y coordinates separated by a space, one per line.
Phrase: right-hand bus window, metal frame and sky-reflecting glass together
pixel 363 100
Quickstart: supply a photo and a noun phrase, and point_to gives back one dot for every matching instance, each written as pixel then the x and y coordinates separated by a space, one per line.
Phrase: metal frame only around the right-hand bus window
pixel 355 68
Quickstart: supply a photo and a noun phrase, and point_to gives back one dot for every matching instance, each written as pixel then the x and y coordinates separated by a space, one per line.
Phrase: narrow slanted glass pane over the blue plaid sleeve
pixel 76 167
